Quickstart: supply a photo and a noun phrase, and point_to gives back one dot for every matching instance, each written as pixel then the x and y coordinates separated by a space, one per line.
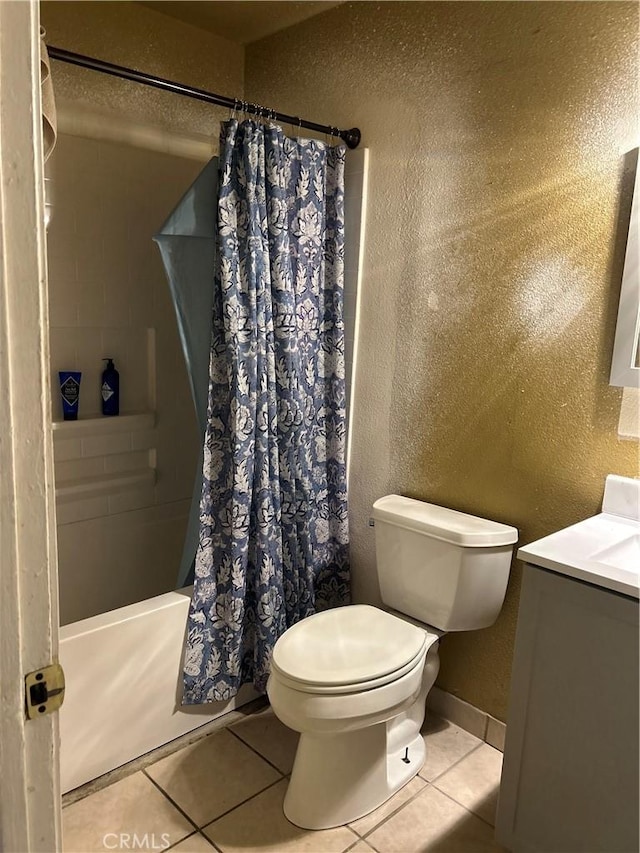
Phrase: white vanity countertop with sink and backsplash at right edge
pixel 603 550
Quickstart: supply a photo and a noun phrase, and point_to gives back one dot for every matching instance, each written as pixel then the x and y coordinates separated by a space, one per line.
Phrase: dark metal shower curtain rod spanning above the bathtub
pixel 350 137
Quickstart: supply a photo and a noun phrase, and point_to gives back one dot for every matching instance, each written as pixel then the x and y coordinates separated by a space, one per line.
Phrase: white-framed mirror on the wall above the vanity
pixel 625 363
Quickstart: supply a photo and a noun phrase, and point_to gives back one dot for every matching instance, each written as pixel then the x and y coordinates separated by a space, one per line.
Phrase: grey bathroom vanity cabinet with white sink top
pixel 570 773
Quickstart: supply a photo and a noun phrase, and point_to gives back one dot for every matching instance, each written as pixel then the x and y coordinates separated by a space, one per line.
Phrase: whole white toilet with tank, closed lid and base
pixel 354 680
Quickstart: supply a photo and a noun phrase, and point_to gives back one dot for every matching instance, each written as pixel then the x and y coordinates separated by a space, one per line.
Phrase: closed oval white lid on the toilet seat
pixel 347 645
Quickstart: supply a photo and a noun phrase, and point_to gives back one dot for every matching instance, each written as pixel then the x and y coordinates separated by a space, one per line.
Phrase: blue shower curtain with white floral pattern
pixel 273 515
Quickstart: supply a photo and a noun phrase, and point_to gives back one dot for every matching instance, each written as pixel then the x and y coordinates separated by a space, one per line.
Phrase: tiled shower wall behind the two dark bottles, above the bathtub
pixel 108 296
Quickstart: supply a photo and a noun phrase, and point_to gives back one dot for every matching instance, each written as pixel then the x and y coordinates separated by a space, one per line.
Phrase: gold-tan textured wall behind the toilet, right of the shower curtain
pixel 492 263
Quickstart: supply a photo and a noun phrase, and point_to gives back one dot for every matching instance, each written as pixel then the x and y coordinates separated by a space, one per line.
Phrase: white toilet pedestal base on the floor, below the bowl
pixel 337 779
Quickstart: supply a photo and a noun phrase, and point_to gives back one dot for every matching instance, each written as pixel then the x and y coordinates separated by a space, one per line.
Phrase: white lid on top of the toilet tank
pixel 439 522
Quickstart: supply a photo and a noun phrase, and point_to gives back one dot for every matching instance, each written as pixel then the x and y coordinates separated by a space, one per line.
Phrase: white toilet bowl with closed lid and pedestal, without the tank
pixel 359 720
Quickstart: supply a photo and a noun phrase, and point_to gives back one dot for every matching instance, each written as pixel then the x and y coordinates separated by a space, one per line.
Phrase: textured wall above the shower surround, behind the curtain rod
pixel 132 35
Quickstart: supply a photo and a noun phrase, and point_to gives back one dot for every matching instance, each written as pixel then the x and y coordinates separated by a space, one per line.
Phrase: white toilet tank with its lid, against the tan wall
pixel 442 567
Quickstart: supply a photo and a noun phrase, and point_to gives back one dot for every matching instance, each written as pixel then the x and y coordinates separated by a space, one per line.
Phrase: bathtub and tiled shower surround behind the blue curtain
pixel 124 484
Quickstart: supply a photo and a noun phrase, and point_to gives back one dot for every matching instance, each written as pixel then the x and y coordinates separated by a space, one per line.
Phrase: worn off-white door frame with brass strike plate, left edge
pixel 30 807
